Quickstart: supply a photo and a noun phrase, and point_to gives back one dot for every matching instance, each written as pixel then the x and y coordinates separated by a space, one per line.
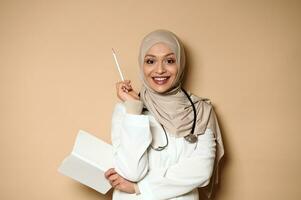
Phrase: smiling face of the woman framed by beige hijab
pixel 160 68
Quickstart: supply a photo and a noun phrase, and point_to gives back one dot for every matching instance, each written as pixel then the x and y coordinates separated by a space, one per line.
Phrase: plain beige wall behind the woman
pixel 57 76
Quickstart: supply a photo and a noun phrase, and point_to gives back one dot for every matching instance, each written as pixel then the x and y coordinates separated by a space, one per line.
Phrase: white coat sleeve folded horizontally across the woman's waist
pixel 188 174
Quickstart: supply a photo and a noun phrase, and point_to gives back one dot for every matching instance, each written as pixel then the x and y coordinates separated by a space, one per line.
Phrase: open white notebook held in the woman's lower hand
pixel 88 161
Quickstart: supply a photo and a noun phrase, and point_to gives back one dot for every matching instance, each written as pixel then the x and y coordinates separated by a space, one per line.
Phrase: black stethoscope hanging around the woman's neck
pixel 191 137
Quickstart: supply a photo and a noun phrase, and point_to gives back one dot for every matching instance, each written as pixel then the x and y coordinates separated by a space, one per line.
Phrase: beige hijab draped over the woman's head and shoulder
pixel 173 109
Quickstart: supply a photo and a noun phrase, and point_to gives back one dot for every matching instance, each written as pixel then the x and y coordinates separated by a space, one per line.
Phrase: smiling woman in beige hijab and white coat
pixel 167 142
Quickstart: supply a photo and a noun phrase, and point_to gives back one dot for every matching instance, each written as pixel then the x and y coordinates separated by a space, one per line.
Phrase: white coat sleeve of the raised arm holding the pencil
pixel 130 139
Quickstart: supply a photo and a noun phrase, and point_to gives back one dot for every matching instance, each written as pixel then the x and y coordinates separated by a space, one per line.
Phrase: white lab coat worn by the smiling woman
pixel 173 173
